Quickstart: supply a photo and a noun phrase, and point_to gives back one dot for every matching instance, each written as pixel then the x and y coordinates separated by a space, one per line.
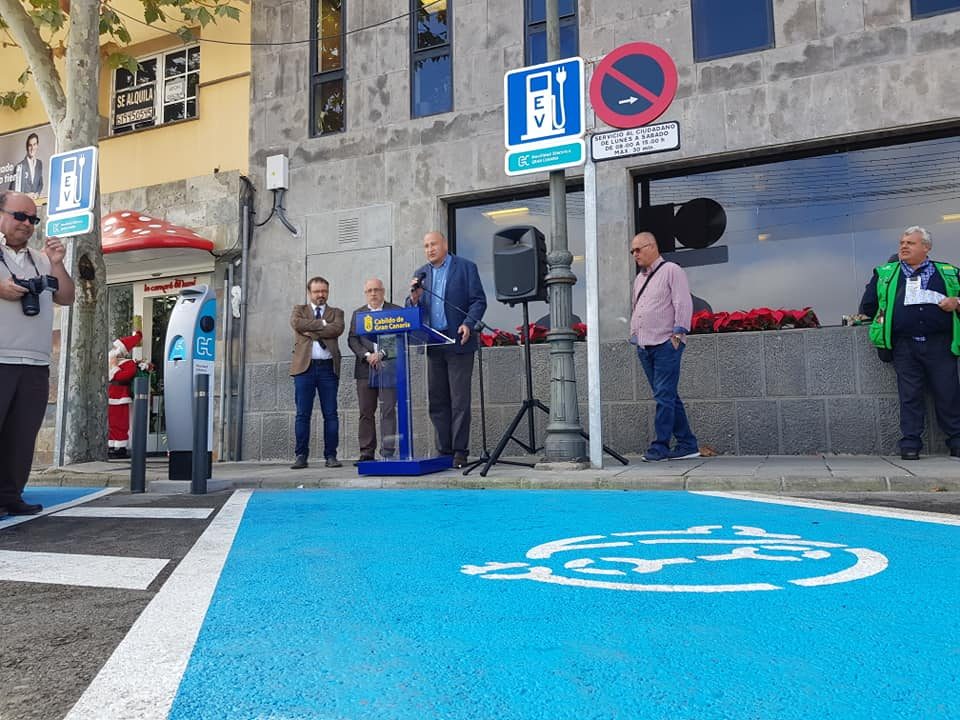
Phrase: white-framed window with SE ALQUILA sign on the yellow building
pixel 163 89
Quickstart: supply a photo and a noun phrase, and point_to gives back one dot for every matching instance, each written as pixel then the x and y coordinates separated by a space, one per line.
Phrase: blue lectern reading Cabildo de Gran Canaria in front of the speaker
pixel 401 329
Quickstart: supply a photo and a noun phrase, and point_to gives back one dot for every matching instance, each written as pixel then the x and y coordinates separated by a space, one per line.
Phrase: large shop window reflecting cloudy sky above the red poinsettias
pixel 807 232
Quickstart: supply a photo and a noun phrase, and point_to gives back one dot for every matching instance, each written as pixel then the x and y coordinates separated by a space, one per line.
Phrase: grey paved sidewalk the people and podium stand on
pixel 764 473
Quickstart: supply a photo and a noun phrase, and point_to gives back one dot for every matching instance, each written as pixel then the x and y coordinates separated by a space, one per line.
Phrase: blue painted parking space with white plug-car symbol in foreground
pixel 568 604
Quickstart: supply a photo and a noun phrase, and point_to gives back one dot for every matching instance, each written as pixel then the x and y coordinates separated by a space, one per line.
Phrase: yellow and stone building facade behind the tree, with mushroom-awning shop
pixel 173 147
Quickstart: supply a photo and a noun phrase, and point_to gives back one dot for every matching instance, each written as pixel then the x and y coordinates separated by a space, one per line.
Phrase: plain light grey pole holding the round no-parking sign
pixel 593 313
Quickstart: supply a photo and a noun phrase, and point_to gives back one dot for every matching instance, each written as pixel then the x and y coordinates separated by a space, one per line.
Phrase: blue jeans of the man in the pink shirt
pixel 661 363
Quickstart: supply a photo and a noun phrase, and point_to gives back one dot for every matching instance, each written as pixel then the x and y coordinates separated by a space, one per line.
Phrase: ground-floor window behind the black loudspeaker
pixel 473 224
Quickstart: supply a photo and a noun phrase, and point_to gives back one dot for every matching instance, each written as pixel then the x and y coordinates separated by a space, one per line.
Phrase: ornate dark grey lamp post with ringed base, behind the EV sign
pixel 564 442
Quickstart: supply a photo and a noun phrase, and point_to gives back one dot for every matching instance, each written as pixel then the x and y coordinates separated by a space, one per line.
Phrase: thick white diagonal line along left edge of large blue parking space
pixel 163 637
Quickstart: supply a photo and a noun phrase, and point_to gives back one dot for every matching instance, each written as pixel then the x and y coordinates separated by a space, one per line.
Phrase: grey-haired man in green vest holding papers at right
pixel 914 305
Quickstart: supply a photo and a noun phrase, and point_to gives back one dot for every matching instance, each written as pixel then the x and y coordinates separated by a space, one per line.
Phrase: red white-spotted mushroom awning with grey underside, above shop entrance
pixel 136 245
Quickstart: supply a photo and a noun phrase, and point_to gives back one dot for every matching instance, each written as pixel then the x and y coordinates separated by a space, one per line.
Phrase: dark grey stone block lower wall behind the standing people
pixel 792 392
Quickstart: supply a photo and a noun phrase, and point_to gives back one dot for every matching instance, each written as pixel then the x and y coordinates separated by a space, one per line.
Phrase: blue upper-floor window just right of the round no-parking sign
pixel 730 27
